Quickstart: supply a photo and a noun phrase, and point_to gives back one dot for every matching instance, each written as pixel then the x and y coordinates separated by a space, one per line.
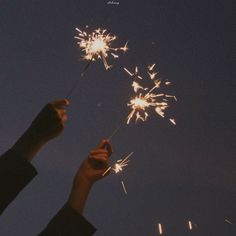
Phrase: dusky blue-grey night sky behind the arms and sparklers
pixel 177 173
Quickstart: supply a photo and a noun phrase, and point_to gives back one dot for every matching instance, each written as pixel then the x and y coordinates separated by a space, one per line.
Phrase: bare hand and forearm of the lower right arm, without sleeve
pixel 89 172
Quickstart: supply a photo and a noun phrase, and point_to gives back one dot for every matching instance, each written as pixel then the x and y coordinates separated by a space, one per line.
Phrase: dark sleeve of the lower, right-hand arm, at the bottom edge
pixel 68 222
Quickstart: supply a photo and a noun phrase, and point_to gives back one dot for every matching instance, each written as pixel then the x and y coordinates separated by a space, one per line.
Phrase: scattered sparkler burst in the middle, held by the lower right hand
pixel 147 98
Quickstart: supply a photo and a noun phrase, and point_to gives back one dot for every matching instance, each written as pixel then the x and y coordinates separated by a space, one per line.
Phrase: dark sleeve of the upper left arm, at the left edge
pixel 15 173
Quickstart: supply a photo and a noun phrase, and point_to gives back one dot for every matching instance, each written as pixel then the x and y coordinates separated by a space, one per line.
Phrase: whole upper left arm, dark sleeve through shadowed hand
pixel 15 168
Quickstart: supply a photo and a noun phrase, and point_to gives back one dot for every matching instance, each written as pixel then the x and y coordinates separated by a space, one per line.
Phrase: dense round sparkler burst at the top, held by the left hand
pixel 98 45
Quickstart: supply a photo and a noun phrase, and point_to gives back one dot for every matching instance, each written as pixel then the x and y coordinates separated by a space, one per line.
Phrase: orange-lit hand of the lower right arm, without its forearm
pixel 95 164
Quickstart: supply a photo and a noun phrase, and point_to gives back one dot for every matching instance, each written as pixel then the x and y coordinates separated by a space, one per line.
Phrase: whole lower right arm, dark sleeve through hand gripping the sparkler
pixel 69 220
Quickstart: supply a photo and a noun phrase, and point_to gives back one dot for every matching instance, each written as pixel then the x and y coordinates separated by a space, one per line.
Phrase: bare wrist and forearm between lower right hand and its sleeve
pixel 79 195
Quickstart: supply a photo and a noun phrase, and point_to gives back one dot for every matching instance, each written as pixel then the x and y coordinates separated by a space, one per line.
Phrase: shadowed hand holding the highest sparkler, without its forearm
pixel 49 123
